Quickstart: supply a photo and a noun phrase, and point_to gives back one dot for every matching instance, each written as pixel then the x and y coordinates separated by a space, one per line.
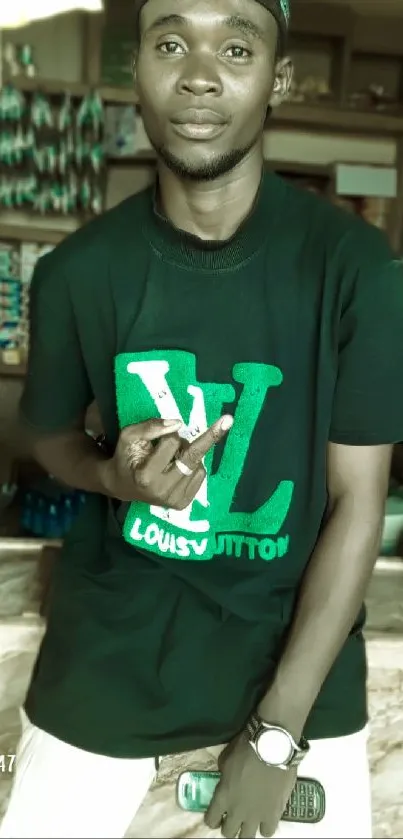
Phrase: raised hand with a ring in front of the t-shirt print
pixel 144 468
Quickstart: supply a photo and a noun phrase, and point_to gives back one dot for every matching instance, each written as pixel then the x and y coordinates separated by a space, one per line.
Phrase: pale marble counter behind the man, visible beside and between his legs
pixel 159 816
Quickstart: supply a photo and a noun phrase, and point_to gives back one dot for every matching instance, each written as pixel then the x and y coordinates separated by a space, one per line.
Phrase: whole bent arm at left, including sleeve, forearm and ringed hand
pixel 55 400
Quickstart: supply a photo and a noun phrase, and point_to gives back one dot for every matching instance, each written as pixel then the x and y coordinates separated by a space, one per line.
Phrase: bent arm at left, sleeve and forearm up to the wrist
pixel 57 389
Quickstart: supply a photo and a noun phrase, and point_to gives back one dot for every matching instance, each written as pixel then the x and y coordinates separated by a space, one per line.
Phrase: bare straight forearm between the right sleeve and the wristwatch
pixel 335 582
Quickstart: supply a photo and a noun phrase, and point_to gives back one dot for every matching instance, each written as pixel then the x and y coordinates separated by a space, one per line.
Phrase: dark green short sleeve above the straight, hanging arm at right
pixel 368 399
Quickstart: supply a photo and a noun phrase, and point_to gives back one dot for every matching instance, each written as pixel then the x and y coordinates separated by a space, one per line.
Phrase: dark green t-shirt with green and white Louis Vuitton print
pixel 166 627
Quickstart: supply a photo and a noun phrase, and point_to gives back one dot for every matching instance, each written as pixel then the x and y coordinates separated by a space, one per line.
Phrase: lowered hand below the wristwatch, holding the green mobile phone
pixel 251 796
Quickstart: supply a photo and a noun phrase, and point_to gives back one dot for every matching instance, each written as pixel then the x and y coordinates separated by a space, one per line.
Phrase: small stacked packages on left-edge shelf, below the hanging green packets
pixel 17 264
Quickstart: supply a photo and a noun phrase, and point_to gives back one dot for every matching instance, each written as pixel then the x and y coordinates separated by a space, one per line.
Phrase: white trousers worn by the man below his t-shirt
pixel 60 791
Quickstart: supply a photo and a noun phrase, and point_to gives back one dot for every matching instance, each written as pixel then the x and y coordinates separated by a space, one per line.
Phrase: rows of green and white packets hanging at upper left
pixel 51 153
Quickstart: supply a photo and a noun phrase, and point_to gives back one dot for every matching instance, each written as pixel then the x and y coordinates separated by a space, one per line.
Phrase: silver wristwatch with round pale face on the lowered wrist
pixel 273 745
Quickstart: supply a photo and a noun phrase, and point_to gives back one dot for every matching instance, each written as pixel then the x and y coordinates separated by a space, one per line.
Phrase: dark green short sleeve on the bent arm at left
pixel 57 389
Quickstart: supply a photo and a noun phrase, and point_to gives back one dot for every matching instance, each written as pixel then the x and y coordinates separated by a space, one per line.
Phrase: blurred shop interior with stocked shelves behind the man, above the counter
pixel 72 144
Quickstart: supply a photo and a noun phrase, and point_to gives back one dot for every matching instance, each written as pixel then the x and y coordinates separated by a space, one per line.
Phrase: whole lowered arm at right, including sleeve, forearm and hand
pixel 366 419
